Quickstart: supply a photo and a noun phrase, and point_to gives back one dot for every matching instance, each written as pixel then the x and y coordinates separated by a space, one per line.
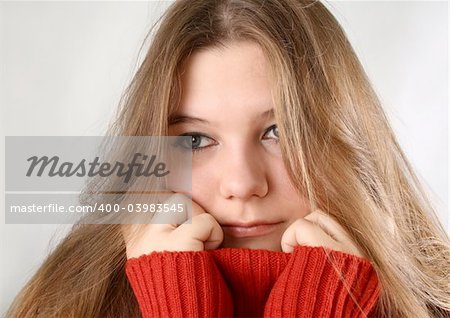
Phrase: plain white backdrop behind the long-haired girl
pixel 64 65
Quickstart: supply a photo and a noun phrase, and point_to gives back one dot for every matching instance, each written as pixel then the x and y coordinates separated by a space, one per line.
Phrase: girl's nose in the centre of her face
pixel 242 175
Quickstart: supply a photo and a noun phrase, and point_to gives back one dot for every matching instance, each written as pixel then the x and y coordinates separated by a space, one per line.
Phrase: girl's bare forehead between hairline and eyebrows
pixel 228 79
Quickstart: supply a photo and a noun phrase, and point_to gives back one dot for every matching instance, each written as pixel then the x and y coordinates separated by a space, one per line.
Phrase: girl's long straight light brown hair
pixel 336 142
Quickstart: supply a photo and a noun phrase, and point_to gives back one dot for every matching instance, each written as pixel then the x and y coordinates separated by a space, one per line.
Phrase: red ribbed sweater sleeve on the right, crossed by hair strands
pixel 311 286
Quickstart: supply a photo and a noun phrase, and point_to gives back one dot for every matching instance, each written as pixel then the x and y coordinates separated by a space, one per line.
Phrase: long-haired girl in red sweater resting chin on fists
pixel 303 202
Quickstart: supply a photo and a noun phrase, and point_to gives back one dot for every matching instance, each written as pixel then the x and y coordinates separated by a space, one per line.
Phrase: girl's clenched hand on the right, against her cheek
pixel 318 229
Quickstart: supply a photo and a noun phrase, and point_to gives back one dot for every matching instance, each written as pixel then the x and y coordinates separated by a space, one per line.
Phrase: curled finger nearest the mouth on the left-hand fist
pixel 204 228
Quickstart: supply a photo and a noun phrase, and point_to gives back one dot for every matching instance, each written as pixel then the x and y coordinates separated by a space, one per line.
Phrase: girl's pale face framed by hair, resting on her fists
pixel 238 175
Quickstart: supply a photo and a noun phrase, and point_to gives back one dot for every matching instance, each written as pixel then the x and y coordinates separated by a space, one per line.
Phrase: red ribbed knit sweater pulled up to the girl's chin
pixel 243 282
